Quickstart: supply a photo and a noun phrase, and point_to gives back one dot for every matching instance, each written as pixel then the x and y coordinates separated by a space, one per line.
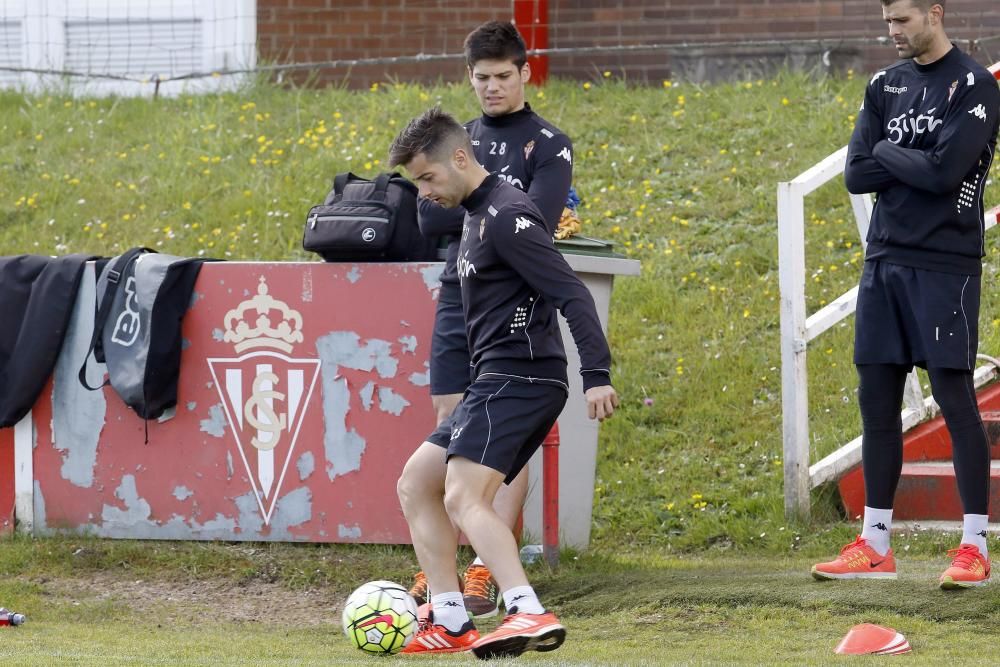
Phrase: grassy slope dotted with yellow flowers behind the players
pixel 683 177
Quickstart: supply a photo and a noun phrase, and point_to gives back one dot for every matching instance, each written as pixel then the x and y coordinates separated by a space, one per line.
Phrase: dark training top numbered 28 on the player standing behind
pixel 523 149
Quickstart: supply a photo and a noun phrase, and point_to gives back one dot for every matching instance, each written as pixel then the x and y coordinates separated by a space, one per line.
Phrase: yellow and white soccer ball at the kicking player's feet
pixel 380 617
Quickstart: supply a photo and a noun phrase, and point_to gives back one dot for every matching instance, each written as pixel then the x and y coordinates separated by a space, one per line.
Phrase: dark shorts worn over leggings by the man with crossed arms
pixel 910 317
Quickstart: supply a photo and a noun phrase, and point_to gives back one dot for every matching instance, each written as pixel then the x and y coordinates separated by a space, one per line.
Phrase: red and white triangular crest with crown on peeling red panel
pixel 264 391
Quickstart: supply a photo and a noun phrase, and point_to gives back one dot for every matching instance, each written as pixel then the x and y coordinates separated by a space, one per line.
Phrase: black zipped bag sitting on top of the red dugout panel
pixel 368 221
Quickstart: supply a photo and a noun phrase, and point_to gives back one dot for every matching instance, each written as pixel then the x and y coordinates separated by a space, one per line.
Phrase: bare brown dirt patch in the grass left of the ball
pixel 219 600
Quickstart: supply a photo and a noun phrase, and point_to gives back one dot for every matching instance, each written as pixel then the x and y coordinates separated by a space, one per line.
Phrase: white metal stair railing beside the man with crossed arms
pixel 797 330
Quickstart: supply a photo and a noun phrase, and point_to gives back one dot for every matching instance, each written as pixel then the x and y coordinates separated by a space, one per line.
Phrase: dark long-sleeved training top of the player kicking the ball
pixel 512 280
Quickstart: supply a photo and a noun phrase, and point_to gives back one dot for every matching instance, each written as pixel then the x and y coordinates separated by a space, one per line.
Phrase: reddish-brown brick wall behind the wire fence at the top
pixel 322 30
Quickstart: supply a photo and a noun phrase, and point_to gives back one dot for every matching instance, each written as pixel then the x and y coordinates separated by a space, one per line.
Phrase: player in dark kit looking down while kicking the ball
pixel 512 282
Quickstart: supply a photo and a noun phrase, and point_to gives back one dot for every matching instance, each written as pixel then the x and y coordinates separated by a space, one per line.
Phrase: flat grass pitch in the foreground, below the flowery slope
pixel 101 603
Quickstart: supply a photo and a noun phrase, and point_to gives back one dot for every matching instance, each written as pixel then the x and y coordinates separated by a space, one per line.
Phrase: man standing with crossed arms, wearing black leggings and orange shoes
pixel 923 141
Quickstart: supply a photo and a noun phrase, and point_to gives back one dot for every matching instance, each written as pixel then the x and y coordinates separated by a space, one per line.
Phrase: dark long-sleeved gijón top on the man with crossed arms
pixel 924 141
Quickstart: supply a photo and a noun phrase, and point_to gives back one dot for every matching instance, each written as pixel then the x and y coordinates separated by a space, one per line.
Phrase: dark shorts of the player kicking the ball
pixel 500 423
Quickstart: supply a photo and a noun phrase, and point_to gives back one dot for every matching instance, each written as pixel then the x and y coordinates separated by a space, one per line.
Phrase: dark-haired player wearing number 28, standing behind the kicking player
pixel 513 142
